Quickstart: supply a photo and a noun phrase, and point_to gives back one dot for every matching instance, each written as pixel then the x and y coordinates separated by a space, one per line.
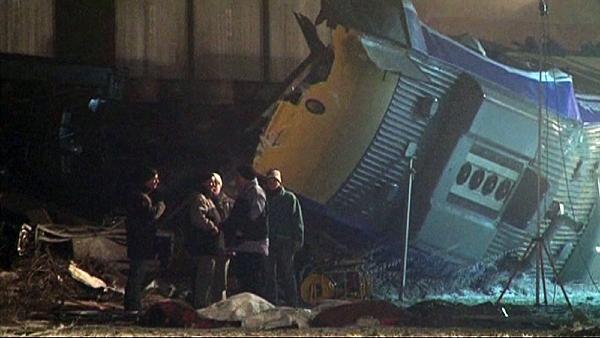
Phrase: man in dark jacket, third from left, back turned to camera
pixel 247 232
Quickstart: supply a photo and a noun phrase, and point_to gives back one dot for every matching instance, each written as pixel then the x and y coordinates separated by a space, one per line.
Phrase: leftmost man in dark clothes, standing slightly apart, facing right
pixel 142 214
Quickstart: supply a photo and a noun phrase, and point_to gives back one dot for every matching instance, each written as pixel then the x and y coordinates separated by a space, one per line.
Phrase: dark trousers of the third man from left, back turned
pixel 250 272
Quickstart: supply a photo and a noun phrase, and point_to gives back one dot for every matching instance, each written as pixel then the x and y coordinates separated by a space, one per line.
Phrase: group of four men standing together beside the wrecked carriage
pixel 259 234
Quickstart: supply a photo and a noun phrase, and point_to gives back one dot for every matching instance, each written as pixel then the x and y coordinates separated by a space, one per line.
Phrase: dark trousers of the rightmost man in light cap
pixel 281 275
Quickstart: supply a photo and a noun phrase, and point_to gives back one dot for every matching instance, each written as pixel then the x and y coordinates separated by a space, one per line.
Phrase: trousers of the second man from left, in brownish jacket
pixel 210 280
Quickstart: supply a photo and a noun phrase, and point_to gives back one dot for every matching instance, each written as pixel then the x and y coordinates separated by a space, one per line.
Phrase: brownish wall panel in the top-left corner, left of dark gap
pixel 27 27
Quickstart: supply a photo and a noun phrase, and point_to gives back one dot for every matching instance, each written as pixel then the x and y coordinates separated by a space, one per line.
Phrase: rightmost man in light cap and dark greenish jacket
pixel 286 237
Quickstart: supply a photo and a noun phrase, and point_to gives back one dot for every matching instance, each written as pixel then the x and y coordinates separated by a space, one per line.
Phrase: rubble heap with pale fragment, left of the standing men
pixel 61 269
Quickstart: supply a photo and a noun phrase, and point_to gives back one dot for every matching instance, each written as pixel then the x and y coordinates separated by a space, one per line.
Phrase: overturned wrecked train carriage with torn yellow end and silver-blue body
pixel 483 181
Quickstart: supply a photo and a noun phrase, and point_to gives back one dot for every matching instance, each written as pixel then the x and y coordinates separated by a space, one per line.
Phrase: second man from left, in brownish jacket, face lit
pixel 205 240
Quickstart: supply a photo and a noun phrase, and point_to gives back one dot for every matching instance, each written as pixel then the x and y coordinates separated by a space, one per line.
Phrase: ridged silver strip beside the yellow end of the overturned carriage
pixel 383 163
